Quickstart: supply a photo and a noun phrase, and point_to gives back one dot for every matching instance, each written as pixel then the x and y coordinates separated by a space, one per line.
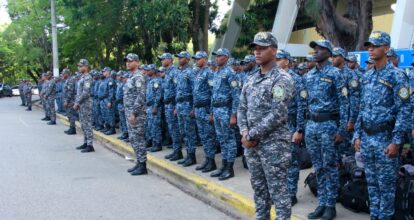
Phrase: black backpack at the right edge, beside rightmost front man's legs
pixel 404 195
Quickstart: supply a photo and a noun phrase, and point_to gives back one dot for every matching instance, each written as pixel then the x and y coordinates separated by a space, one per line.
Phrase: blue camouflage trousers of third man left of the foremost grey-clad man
pixel 187 126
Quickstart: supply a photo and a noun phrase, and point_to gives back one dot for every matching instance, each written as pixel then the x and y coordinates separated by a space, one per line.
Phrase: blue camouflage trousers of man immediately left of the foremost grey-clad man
pixel 225 134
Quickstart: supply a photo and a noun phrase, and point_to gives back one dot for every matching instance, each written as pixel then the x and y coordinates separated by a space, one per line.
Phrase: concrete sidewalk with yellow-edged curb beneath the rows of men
pixel 233 196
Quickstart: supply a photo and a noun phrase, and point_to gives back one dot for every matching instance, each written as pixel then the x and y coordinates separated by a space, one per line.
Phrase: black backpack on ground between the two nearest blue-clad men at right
pixel 354 194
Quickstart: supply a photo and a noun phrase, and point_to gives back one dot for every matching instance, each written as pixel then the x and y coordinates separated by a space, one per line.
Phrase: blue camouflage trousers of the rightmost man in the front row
pixel 381 174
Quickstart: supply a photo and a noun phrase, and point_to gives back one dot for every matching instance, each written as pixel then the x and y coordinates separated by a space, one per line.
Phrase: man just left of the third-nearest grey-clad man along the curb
pixel 69 96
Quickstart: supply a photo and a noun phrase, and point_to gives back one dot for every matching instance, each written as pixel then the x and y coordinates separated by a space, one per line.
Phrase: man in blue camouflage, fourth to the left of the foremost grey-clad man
pixel 169 92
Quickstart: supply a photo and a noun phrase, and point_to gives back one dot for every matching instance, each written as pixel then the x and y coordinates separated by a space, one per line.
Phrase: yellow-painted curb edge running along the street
pixel 235 200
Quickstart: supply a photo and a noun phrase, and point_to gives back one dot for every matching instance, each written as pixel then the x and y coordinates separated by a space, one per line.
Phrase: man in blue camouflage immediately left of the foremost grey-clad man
pixel 225 100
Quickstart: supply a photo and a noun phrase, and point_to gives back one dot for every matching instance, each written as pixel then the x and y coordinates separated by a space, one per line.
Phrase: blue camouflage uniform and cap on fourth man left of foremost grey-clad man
pixel 169 91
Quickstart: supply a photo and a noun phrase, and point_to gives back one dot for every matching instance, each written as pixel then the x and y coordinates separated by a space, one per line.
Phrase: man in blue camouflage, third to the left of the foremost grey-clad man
pixel 184 80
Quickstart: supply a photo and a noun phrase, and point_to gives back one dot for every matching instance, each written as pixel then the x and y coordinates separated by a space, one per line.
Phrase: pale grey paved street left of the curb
pixel 42 176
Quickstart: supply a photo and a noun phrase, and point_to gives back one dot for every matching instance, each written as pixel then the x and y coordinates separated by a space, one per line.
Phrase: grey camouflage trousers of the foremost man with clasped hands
pixel 268 164
